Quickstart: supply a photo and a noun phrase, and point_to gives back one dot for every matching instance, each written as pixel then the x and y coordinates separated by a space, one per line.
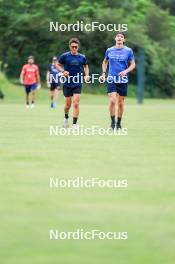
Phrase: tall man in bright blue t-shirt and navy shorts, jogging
pixel 121 61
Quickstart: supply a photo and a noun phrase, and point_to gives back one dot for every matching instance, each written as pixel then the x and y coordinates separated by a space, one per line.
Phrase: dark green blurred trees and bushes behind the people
pixel 24 30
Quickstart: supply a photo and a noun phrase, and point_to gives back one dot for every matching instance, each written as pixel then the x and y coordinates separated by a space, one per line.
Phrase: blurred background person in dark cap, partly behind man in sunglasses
pixel 53 82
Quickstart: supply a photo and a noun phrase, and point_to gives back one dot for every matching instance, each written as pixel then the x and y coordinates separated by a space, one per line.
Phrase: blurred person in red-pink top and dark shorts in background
pixel 30 78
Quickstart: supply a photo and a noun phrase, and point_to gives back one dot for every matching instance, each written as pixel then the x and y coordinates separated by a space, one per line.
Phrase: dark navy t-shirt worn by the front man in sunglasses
pixel 74 65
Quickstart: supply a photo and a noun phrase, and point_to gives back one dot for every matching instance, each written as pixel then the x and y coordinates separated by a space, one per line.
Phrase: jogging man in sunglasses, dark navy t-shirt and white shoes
pixel 72 64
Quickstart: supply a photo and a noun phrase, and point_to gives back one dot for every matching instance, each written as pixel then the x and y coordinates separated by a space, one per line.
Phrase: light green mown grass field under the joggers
pixel 29 208
